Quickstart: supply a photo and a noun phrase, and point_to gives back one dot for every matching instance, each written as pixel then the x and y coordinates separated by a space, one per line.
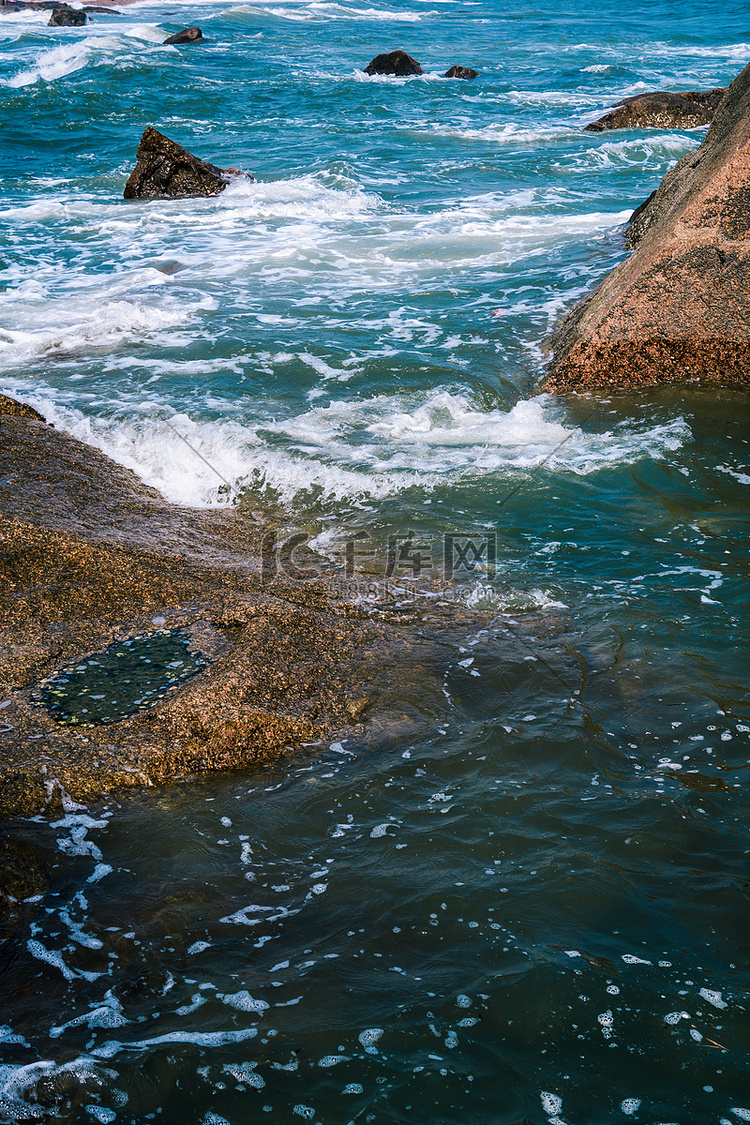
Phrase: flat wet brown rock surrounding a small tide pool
pixel 91 557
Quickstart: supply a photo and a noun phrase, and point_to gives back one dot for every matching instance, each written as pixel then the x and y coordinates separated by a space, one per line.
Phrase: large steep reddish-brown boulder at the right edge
pixel 680 307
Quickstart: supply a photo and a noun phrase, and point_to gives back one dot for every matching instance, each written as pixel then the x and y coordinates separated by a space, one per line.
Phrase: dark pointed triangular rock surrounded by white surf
pixel 165 168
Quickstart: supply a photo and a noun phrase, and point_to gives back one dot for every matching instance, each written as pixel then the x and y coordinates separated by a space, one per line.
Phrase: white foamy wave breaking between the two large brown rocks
pixel 368 448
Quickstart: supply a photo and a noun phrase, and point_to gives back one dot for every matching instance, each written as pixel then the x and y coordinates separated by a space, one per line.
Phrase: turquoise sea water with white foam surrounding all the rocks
pixel 532 905
